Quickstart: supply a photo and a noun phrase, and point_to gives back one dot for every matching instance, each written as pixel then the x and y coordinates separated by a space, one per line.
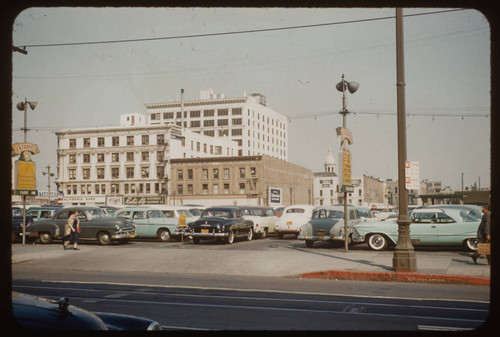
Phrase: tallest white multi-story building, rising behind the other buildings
pixel 247 120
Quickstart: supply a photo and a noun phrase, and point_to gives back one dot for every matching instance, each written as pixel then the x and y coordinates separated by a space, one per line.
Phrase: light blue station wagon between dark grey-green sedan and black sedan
pixel 150 223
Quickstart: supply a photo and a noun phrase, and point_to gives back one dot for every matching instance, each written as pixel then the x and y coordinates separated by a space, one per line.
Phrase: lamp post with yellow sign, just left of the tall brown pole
pixel 346 139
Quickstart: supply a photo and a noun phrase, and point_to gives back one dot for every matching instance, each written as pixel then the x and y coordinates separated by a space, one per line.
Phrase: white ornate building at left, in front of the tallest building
pixel 130 163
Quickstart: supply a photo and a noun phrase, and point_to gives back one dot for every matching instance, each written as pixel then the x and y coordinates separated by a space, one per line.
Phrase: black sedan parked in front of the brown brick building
pixel 225 222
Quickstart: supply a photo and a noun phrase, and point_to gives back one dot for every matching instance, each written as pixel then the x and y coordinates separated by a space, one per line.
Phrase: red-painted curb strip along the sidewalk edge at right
pixel 398 277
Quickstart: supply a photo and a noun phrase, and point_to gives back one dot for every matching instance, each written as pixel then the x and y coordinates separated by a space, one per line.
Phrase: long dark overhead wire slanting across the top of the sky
pixel 233 33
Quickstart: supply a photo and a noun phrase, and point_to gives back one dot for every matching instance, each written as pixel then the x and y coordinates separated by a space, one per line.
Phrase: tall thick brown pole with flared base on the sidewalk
pixel 404 255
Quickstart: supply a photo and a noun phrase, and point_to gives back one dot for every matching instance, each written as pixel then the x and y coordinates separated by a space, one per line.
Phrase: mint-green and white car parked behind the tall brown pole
pixel 444 226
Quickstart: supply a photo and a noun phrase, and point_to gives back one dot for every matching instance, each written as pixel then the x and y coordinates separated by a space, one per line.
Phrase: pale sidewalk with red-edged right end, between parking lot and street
pixel 455 267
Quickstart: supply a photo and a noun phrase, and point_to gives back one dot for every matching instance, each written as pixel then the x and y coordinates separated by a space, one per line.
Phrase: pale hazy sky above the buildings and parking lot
pixel 82 74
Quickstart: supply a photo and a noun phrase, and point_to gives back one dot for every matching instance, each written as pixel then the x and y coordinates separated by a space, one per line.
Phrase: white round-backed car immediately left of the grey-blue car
pixel 292 218
